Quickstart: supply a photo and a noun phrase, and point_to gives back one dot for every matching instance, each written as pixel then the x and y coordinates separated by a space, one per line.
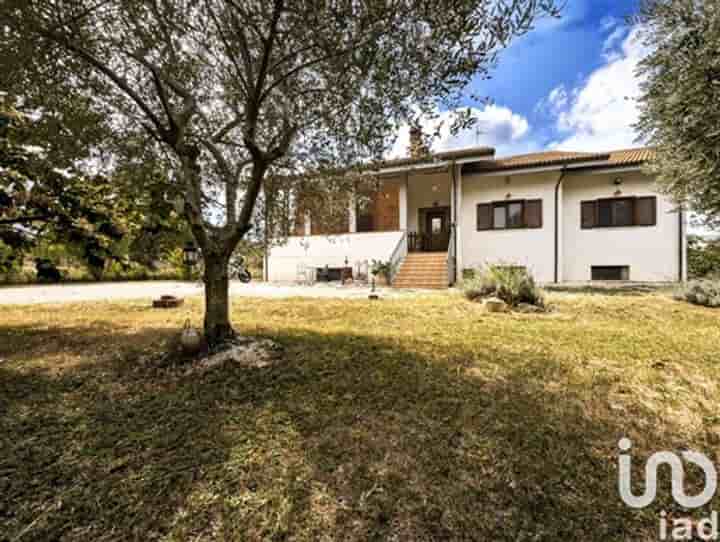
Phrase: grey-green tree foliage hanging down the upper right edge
pixel 680 103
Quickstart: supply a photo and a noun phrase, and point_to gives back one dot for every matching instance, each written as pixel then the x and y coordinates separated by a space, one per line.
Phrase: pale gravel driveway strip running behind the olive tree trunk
pixel 103 291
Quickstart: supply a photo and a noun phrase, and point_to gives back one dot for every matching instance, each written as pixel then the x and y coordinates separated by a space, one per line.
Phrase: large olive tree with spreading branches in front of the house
pixel 228 91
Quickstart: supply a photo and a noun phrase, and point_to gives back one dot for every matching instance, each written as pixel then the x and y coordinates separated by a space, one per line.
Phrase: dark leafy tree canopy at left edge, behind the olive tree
pixel 47 194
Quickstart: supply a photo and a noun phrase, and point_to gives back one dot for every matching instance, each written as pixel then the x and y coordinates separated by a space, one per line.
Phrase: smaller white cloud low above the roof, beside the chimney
pixel 496 126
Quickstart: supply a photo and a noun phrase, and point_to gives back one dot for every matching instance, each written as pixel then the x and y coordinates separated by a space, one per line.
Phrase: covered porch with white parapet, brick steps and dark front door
pixel 406 214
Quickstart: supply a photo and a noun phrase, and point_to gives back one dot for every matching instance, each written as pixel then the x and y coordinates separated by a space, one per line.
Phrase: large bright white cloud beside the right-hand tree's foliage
pixel 599 113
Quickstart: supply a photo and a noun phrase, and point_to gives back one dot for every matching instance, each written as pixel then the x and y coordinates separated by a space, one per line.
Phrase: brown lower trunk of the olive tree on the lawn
pixel 217 300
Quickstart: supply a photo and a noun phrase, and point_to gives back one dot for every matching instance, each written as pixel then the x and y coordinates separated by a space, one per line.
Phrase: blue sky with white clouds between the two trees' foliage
pixel 568 84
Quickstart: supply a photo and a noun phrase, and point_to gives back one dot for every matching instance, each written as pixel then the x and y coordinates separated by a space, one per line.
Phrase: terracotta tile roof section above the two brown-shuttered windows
pixel 559 158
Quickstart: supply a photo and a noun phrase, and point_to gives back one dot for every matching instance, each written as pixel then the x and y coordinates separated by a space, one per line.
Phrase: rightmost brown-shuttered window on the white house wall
pixel 619 212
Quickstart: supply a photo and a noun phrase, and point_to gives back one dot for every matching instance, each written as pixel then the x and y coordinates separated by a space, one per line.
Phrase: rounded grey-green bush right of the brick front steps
pixel 513 284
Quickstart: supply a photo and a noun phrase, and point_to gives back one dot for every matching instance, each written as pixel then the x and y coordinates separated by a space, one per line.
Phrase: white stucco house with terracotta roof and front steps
pixel 565 216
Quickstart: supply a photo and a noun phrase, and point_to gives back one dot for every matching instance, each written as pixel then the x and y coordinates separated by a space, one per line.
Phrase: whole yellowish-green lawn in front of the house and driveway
pixel 415 419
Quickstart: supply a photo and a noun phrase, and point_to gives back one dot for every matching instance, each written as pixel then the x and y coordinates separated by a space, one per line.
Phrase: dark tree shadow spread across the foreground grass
pixel 350 437
